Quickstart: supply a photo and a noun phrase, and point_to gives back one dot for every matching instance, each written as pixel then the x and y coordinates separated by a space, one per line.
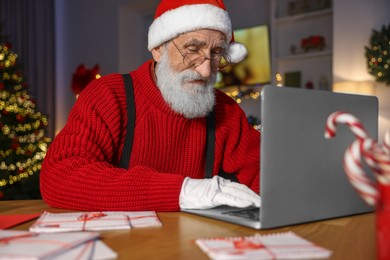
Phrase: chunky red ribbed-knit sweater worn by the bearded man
pixel 79 173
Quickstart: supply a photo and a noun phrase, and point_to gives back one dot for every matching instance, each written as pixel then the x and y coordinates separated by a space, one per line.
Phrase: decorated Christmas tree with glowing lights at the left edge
pixel 23 143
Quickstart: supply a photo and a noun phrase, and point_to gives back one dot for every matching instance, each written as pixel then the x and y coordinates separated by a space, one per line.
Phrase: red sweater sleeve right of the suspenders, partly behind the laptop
pixel 238 143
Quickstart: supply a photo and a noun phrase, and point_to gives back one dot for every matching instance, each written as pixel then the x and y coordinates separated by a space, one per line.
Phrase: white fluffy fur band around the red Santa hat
pixel 188 18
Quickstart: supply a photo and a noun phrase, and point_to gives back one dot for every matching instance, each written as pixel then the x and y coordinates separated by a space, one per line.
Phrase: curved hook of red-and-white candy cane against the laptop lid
pixel 344 118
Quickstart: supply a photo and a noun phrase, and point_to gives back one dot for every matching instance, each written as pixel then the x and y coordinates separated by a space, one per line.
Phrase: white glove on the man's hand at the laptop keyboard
pixel 209 193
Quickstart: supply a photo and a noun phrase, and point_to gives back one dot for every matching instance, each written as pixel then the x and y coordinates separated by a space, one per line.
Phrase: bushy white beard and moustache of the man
pixel 188 99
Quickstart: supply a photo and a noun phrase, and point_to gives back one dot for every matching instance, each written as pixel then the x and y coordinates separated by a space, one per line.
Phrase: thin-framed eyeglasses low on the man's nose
pixel 194 58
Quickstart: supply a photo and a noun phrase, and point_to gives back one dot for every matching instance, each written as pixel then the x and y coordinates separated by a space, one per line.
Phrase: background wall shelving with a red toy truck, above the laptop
pixel 289 31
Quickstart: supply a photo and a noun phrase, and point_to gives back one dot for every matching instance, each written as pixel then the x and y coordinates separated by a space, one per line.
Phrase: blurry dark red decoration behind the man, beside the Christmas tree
pixel 82 77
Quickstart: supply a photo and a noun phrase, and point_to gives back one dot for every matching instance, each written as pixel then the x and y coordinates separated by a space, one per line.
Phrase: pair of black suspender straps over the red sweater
pixel 125 158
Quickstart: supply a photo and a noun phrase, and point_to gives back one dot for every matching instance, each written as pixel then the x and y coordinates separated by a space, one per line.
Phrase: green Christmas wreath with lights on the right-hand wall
pixel 378 55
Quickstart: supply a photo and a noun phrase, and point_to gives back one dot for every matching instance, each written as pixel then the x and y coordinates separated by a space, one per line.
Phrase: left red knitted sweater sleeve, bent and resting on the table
pixel 79 170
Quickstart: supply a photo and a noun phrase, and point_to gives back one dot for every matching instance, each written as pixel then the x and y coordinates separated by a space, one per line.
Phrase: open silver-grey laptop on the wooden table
pixel 302 178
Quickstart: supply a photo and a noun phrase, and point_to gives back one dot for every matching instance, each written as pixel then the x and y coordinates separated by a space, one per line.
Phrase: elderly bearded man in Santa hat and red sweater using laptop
pixel 156 155
